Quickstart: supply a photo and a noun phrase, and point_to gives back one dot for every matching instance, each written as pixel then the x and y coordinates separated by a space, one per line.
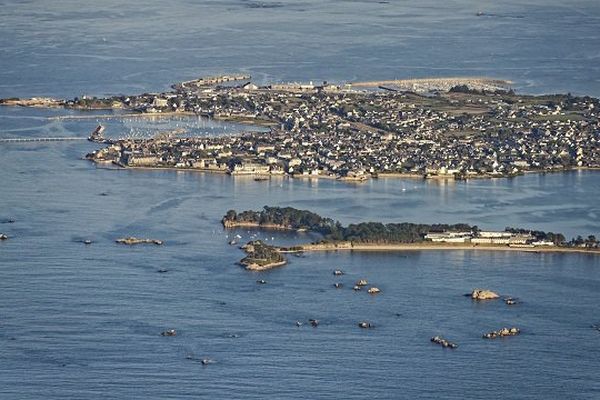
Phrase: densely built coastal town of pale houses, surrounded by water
pixel 474 129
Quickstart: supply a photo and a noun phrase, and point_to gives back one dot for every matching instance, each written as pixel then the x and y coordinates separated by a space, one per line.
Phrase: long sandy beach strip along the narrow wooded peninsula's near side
pixel 348 246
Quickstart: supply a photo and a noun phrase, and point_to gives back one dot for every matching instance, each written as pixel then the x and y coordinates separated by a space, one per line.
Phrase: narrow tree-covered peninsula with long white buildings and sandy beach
pixel 376 236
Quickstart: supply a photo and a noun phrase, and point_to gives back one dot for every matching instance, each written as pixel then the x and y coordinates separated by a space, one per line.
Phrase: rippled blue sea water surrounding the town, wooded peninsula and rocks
pixel 84 321
